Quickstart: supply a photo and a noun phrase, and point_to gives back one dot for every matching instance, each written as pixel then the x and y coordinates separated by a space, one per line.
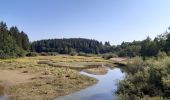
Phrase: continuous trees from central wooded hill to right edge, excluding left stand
pixel 144 48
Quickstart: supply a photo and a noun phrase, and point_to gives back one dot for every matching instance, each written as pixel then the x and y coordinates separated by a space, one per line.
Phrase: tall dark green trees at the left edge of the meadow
pixel 13 43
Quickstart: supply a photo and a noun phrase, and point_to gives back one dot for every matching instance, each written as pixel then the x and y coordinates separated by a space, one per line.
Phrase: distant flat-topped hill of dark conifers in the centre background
pixel 66 46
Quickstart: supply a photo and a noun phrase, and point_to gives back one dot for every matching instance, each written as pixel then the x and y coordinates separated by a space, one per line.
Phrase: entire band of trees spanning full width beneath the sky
pixel 14 43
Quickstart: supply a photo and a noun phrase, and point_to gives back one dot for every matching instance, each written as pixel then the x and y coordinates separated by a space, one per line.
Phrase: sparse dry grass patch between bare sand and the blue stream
pixel 50 86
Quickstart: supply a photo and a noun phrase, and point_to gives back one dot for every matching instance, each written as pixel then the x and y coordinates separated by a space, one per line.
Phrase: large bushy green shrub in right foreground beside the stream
pixel 146 78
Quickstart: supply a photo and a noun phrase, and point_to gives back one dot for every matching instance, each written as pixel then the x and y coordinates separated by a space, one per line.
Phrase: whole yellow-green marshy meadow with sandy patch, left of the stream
pixel 46 77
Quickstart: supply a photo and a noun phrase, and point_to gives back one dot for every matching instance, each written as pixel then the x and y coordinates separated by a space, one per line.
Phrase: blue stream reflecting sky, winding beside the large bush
pixel 103 90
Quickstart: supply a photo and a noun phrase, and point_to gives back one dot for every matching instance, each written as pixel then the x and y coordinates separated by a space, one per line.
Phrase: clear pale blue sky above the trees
pixel 104 20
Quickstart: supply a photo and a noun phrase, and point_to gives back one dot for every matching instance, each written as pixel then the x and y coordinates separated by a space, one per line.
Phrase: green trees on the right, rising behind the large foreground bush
pixel 145 48
